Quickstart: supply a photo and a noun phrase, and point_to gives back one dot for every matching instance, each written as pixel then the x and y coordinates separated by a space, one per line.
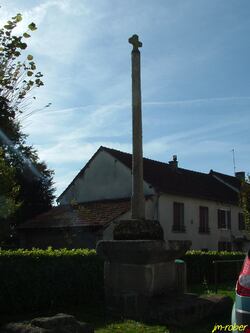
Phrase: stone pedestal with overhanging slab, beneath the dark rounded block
pixel 134 272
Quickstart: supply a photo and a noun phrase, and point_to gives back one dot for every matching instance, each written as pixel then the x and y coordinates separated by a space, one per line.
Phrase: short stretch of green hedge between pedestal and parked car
pixel 200 266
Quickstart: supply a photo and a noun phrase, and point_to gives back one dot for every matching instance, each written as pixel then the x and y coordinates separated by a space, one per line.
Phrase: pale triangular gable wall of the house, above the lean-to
pixel 105 178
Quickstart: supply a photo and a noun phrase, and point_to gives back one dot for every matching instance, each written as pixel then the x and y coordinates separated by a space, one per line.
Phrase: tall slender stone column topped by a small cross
pixel 138 201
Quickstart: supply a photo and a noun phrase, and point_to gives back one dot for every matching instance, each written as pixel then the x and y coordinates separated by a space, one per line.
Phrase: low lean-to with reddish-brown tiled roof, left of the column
pixel 72 225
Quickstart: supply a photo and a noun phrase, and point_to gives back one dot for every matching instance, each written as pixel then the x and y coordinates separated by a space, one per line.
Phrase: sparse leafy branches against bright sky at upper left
pixel 17 78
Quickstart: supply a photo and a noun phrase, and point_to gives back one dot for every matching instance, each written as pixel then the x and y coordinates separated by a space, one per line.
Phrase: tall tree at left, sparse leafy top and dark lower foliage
pixel 17 80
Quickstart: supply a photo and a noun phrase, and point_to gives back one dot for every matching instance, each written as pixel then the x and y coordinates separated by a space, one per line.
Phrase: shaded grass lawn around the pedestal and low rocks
pixel 96 317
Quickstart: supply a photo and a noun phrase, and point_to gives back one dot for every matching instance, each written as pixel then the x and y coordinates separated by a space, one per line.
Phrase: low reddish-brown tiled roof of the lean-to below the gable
pixel 86 214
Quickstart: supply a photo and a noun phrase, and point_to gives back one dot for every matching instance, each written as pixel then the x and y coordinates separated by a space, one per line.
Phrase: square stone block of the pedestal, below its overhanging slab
pixel 130 287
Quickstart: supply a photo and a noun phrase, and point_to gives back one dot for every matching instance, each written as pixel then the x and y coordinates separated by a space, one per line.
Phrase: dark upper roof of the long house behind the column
pixel 165 178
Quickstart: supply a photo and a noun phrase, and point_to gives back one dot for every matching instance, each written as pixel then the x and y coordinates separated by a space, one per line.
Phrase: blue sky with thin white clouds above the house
pixel 195 80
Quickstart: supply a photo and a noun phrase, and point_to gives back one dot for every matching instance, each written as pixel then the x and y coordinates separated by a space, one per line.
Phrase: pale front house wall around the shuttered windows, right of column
pixel 191 219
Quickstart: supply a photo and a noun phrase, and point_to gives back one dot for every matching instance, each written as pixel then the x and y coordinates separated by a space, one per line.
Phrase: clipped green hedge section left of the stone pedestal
pixel 44 279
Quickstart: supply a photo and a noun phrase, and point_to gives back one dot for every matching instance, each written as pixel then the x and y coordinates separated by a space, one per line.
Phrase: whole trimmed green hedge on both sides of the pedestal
pixel 45 279
